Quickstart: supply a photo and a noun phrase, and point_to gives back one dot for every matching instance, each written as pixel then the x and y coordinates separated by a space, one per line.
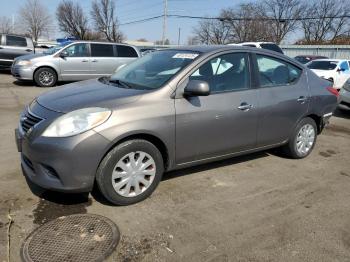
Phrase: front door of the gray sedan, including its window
pixel 223 122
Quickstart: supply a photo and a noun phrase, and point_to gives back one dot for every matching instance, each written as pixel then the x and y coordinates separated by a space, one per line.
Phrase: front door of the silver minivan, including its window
pixel 76 65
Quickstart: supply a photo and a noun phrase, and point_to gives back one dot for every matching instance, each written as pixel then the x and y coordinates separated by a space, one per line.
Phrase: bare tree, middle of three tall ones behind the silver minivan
pixel 72 19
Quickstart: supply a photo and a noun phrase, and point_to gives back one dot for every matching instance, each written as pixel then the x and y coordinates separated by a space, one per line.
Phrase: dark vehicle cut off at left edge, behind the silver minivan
pixel 12 46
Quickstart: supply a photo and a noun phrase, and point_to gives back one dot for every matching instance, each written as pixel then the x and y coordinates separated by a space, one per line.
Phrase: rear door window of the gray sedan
pixel 276 72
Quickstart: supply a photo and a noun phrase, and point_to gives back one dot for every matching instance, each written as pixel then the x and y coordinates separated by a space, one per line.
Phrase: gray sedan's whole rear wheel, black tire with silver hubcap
pixel 303 139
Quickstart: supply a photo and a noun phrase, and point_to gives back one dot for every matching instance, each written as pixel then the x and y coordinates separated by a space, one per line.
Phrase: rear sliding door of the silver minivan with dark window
pixel 103 60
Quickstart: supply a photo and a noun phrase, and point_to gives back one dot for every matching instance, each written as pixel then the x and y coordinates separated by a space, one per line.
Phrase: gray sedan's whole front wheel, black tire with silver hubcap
pixel 130 172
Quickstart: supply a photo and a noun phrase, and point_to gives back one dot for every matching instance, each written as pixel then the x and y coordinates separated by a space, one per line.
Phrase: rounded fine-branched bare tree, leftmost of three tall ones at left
pixel 34 18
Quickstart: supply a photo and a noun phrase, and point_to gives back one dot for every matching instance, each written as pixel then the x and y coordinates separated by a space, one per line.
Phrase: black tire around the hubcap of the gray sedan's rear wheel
pixel 290 149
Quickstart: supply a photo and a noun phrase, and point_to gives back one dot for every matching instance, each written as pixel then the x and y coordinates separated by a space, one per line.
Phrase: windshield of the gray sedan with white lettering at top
pixel 154 69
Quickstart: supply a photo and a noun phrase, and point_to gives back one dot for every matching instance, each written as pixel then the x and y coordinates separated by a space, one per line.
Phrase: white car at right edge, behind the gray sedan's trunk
pixel 335 70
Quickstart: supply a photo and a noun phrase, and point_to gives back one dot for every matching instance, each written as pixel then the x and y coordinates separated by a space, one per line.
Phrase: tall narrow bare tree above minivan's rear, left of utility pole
pixel 105 19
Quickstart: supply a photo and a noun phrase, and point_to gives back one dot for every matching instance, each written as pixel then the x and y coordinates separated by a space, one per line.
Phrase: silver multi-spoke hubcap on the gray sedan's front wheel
pixel 133 174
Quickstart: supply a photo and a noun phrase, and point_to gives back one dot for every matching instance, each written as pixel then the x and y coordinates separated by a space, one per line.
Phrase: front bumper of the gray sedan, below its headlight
pixel 67 164
